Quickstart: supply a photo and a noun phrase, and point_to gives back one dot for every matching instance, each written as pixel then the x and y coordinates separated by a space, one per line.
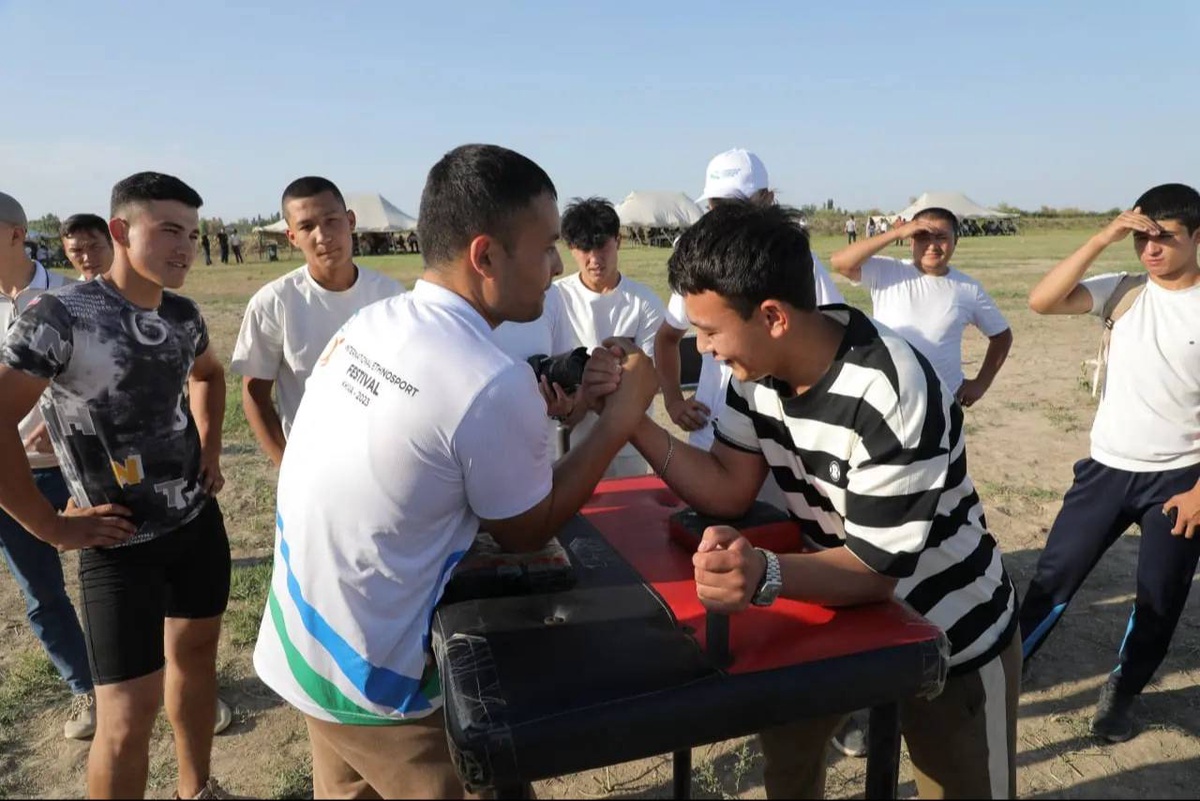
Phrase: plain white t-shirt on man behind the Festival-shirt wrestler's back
pixel 287 326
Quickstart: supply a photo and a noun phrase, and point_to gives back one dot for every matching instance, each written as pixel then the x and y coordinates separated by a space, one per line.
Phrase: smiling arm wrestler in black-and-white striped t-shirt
pixel 867 444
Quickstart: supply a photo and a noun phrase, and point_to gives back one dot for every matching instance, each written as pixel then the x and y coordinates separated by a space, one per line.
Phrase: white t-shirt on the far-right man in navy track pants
pixel 1149 419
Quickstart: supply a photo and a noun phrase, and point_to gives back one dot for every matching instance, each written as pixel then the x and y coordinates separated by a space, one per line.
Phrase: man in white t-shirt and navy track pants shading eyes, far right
pixel 1144 466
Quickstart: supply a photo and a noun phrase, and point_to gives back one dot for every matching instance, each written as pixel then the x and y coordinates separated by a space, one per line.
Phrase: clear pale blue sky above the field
pixel 1082 104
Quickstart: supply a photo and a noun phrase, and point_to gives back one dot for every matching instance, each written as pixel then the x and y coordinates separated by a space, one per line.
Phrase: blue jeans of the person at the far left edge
pixel 38 569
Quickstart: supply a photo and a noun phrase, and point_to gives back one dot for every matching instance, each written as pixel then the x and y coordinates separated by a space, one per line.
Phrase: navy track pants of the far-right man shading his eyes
pixel 1101 505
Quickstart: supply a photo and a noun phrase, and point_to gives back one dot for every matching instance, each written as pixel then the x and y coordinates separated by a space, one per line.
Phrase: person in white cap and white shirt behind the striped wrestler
pixel 733 176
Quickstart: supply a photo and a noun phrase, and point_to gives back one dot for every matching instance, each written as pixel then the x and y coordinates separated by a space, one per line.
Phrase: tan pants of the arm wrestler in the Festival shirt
pixel 410 761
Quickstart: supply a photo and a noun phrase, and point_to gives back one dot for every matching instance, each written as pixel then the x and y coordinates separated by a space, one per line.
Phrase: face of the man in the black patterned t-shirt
pixel 159 238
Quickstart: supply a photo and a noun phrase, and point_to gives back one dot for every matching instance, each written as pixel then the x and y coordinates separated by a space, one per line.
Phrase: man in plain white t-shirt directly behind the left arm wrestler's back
pixel 290 321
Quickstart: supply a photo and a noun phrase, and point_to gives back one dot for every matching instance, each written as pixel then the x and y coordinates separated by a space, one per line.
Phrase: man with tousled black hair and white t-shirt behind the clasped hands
pixel 599 303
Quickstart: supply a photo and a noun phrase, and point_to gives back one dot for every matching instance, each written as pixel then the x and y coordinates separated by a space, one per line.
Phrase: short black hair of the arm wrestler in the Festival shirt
pixel 476 190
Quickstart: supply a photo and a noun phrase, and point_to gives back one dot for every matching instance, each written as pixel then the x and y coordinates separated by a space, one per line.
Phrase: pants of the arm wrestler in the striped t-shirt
pixel 963 744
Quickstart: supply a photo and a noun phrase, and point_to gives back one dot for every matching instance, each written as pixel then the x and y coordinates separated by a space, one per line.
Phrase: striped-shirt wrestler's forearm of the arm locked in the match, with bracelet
pixel 697 477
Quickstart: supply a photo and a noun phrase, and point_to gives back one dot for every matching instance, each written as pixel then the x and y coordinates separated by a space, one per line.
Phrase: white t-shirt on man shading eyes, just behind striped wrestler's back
pixel 932 312
